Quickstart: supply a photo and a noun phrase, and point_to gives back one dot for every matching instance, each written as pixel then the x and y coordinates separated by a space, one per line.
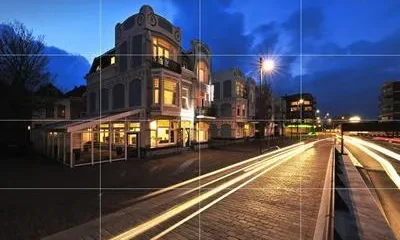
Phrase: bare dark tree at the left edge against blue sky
pixel 23 69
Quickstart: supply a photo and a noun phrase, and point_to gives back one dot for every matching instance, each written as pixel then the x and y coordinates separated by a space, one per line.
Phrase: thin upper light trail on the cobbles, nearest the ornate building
pixel 158 192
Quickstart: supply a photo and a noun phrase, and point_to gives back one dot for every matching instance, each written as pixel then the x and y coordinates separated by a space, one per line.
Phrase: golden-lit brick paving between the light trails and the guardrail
pixel 282 204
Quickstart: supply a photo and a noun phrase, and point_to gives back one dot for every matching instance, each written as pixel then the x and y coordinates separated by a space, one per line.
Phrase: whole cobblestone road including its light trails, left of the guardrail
pixel 282 203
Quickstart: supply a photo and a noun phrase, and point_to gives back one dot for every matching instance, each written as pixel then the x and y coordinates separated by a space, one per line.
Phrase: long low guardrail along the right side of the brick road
pixel 325 227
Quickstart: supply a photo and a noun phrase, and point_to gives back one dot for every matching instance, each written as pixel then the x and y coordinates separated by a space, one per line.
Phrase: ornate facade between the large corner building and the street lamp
pixel 234 105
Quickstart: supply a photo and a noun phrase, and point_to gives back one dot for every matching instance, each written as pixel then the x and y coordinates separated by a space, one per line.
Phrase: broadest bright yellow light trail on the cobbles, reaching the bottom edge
pixel 277 160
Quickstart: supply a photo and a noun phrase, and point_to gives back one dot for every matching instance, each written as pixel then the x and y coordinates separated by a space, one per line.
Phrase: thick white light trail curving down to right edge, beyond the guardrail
pixel 387 166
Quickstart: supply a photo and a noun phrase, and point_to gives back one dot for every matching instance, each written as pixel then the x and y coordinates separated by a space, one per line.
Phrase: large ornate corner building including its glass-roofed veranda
pixel 144 96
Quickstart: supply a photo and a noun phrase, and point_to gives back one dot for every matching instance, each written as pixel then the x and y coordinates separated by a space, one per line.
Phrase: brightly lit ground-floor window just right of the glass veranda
pixel 163 132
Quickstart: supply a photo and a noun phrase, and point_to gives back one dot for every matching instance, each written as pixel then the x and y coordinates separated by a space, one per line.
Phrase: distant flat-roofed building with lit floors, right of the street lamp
pixel 300 113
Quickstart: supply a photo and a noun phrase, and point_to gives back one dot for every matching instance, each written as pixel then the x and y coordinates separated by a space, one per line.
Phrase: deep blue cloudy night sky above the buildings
pixel 349 48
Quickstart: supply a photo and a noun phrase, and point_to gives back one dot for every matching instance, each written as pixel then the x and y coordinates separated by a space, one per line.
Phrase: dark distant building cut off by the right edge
pixel 389 104
